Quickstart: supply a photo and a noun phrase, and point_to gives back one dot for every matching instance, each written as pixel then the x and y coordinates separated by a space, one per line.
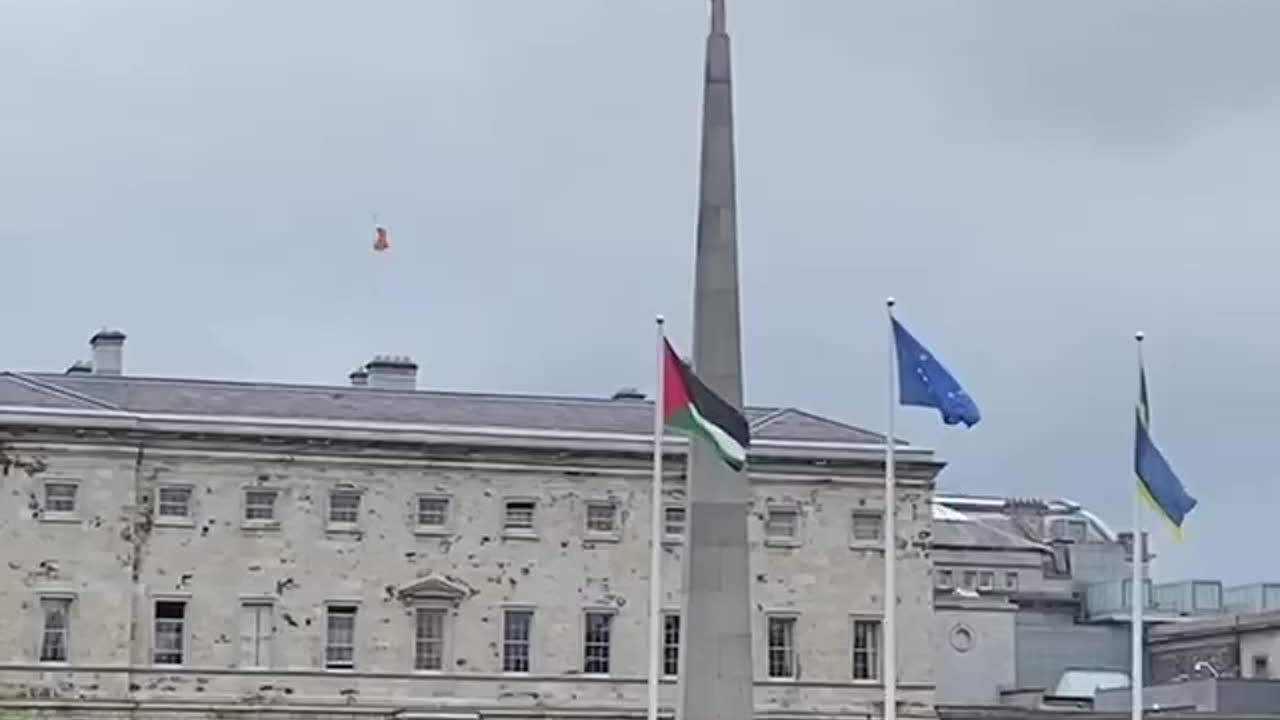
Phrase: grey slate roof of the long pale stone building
pixel 376 405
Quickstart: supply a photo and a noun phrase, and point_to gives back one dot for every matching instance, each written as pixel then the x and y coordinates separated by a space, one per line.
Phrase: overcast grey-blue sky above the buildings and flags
pixel 1034 181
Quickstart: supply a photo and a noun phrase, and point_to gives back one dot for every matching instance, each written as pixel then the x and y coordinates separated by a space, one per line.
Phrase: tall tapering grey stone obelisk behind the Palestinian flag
pixel 716 680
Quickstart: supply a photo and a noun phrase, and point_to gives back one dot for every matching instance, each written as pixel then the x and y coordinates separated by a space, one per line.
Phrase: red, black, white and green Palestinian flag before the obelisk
pixel 694 408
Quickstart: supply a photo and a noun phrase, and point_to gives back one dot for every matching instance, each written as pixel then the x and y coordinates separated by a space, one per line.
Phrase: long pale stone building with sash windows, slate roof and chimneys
pixel 198 548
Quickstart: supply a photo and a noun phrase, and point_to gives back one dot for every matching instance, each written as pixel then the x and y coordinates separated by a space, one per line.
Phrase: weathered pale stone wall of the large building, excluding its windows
pixel 116 559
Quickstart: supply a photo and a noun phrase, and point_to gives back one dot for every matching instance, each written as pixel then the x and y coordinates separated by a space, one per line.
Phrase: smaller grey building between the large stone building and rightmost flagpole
pixel 1017 613
